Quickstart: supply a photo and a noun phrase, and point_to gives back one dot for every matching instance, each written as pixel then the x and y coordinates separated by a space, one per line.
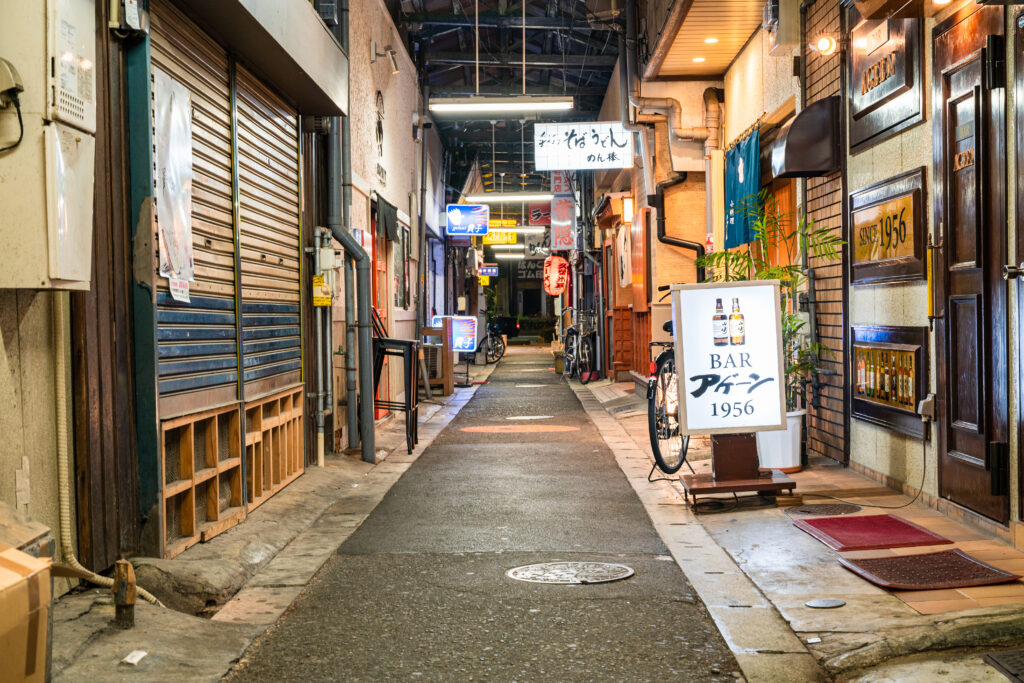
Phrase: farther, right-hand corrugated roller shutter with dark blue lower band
pixel 269 206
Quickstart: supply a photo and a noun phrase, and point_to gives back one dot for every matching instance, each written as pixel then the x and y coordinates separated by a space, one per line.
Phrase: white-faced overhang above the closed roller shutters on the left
pixel 286 44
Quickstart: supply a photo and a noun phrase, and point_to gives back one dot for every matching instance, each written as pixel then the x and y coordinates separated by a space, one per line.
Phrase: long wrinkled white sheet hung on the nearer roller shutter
pixel 173 119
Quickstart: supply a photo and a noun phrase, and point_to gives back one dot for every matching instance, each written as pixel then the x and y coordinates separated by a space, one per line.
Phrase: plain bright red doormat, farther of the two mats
pixel 869 533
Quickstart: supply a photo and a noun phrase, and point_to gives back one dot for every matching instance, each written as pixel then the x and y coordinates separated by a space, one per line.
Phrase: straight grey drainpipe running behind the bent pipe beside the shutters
pixel 352 418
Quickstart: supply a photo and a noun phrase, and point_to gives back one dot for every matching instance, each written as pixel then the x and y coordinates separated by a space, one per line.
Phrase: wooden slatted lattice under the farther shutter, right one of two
pixel 274 445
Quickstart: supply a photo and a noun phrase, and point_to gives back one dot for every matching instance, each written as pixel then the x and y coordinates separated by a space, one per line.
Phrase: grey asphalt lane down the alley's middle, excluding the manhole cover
pixel 420 590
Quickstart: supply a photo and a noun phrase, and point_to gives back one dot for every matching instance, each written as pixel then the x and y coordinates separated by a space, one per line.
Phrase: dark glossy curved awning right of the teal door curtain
pixel 808 146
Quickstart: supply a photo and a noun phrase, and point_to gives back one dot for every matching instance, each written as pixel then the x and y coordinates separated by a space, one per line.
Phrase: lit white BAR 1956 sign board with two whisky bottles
pixel 730 358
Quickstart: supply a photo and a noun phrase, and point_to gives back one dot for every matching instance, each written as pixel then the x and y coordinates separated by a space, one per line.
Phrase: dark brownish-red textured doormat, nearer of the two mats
pixel 947 569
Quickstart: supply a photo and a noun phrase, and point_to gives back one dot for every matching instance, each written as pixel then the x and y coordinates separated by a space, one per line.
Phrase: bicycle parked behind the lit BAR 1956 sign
pixel 667 445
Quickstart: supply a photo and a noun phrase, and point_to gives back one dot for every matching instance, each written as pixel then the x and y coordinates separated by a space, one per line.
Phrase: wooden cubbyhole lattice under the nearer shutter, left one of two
pixel 202 484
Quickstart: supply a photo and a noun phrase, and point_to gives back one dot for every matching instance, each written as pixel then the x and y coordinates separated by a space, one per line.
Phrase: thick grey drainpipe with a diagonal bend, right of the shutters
pixel 334 182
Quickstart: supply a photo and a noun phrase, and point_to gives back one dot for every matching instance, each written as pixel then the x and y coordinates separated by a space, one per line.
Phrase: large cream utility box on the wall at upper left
pixel 47 183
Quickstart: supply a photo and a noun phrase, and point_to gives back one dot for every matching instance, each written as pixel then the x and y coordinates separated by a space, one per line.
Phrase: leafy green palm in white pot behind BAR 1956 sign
pixel 780 251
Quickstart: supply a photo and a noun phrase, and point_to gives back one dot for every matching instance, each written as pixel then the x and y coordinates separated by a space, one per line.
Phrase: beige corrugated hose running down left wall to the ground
pixel 64 491
